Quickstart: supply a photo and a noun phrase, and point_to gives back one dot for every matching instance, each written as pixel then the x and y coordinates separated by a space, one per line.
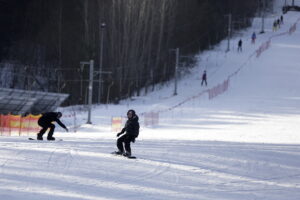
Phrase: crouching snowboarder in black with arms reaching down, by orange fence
pixel 45 121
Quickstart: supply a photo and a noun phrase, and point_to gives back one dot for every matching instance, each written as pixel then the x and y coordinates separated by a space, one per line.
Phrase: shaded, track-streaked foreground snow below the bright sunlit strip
pixel 215 169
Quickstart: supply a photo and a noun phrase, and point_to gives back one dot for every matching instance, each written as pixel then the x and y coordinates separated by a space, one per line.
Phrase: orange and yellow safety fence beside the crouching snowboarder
pixel 16 125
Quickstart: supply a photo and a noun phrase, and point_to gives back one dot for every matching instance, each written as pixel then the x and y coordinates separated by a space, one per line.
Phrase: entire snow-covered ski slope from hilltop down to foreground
pixel 243 144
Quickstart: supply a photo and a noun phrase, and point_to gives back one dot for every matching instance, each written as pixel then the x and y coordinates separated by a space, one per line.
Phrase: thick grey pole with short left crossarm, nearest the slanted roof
pixel 90 89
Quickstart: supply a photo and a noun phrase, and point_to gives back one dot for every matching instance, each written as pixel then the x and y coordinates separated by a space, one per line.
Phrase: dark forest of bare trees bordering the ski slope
pixel 45 41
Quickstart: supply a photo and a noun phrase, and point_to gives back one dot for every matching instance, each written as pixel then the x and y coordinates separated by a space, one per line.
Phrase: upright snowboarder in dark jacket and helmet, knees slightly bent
pixel 131 130
